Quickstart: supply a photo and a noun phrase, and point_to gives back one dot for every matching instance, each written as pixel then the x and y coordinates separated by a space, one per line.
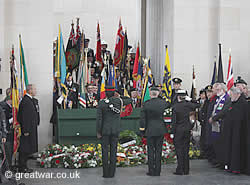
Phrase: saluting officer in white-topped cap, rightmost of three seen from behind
pixel 181 130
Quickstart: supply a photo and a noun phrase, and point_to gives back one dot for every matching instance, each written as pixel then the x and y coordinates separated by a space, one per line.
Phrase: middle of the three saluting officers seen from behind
pixel 153 125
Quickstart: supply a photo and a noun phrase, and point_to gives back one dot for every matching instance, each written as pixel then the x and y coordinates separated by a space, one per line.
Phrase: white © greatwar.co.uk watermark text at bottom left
pixel 43 175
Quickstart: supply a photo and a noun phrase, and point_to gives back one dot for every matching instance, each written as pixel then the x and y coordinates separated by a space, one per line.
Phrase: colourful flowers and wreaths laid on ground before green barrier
pixel 90 155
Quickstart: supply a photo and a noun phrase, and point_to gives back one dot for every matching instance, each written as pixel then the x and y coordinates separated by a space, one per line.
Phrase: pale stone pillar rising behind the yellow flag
pixel 159 26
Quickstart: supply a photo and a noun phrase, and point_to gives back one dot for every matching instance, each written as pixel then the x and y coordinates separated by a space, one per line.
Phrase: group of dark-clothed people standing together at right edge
pixel 224 117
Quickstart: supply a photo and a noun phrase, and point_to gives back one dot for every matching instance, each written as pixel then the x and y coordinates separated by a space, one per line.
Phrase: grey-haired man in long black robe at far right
pixel 235 117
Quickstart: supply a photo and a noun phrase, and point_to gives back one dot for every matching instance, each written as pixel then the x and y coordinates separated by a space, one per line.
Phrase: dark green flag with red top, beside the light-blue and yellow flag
pixel 72 53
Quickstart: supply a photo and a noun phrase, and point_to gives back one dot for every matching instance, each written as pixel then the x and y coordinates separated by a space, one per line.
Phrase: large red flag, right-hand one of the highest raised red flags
pixel 118 45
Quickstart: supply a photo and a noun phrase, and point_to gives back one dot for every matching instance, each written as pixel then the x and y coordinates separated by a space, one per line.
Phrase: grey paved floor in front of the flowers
pixel 201 173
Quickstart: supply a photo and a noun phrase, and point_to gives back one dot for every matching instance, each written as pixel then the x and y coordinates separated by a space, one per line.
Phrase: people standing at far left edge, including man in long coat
pixel 28 116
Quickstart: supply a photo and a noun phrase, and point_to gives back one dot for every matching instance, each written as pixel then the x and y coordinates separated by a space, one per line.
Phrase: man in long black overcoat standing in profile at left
pixel 28 117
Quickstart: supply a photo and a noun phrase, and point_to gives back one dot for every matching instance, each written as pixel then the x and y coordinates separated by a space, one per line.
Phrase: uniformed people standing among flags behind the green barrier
pixel 123 77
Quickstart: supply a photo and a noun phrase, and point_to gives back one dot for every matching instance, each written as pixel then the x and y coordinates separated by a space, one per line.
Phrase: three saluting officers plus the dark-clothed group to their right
pixel 223 115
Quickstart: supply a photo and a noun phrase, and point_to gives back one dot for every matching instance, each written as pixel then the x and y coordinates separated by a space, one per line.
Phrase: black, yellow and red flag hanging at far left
pixel 15 102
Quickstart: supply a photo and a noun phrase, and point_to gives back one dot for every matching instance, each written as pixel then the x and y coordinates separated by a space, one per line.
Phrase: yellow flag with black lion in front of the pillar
pixel 166 85
